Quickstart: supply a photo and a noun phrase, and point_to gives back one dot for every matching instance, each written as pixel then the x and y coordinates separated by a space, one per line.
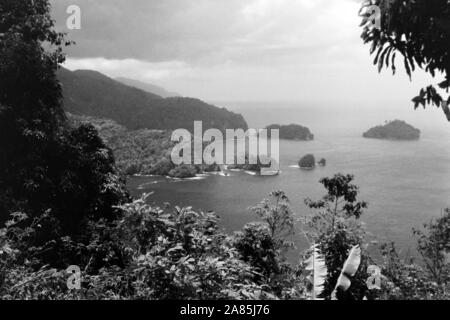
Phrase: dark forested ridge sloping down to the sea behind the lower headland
pixel 91 93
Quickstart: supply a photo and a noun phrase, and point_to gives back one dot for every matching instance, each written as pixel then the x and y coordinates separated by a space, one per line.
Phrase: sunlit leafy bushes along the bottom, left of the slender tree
pixel 149 253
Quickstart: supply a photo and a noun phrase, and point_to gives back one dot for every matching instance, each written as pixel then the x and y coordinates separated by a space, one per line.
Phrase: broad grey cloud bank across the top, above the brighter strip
pixel 204 31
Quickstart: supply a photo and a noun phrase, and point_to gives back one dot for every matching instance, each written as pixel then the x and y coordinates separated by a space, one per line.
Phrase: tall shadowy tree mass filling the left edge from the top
pixel 45 164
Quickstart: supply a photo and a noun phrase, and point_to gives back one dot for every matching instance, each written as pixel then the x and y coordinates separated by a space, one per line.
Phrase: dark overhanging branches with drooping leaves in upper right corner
pixel 419 31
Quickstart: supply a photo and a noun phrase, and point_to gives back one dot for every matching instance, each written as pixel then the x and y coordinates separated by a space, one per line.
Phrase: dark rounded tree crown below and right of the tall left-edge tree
pixel 83 180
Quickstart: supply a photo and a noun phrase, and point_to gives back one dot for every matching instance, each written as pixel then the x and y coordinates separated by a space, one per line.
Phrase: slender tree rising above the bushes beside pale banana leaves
pixel 334 229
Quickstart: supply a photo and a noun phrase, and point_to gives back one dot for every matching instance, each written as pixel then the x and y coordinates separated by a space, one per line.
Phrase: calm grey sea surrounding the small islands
pixel 406 183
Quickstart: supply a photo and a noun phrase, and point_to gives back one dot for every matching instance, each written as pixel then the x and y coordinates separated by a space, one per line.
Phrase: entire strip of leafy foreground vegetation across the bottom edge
pixel 160 253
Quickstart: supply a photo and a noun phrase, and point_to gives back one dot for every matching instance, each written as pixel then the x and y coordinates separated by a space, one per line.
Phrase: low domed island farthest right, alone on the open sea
pixel 393 130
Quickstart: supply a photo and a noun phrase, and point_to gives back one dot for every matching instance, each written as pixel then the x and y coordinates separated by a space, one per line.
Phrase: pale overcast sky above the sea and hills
pixel 234 50
